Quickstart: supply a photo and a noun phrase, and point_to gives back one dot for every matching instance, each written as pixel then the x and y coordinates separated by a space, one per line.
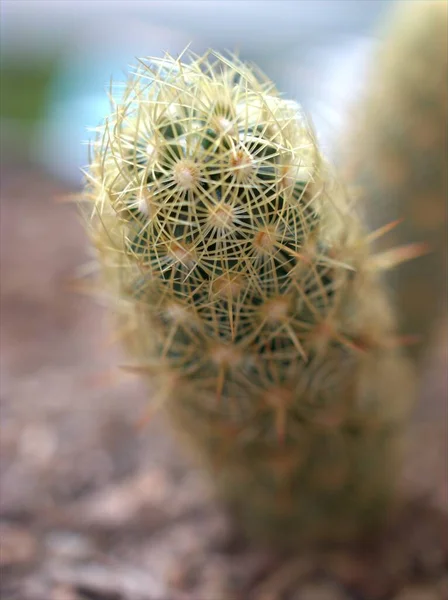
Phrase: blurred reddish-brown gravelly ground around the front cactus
pixel 94 508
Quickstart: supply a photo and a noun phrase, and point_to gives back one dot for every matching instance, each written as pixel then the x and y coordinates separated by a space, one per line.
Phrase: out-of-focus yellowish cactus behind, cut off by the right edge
pixel 400 168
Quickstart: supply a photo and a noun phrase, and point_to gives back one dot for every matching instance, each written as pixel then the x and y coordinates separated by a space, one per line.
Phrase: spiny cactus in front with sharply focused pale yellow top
pixel 247 294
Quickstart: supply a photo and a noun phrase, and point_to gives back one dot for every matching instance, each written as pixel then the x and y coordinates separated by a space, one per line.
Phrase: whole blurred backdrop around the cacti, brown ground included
pixel 93 508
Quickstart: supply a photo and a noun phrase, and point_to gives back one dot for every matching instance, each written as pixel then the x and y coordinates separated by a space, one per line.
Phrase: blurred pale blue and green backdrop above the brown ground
pixel 57 58
